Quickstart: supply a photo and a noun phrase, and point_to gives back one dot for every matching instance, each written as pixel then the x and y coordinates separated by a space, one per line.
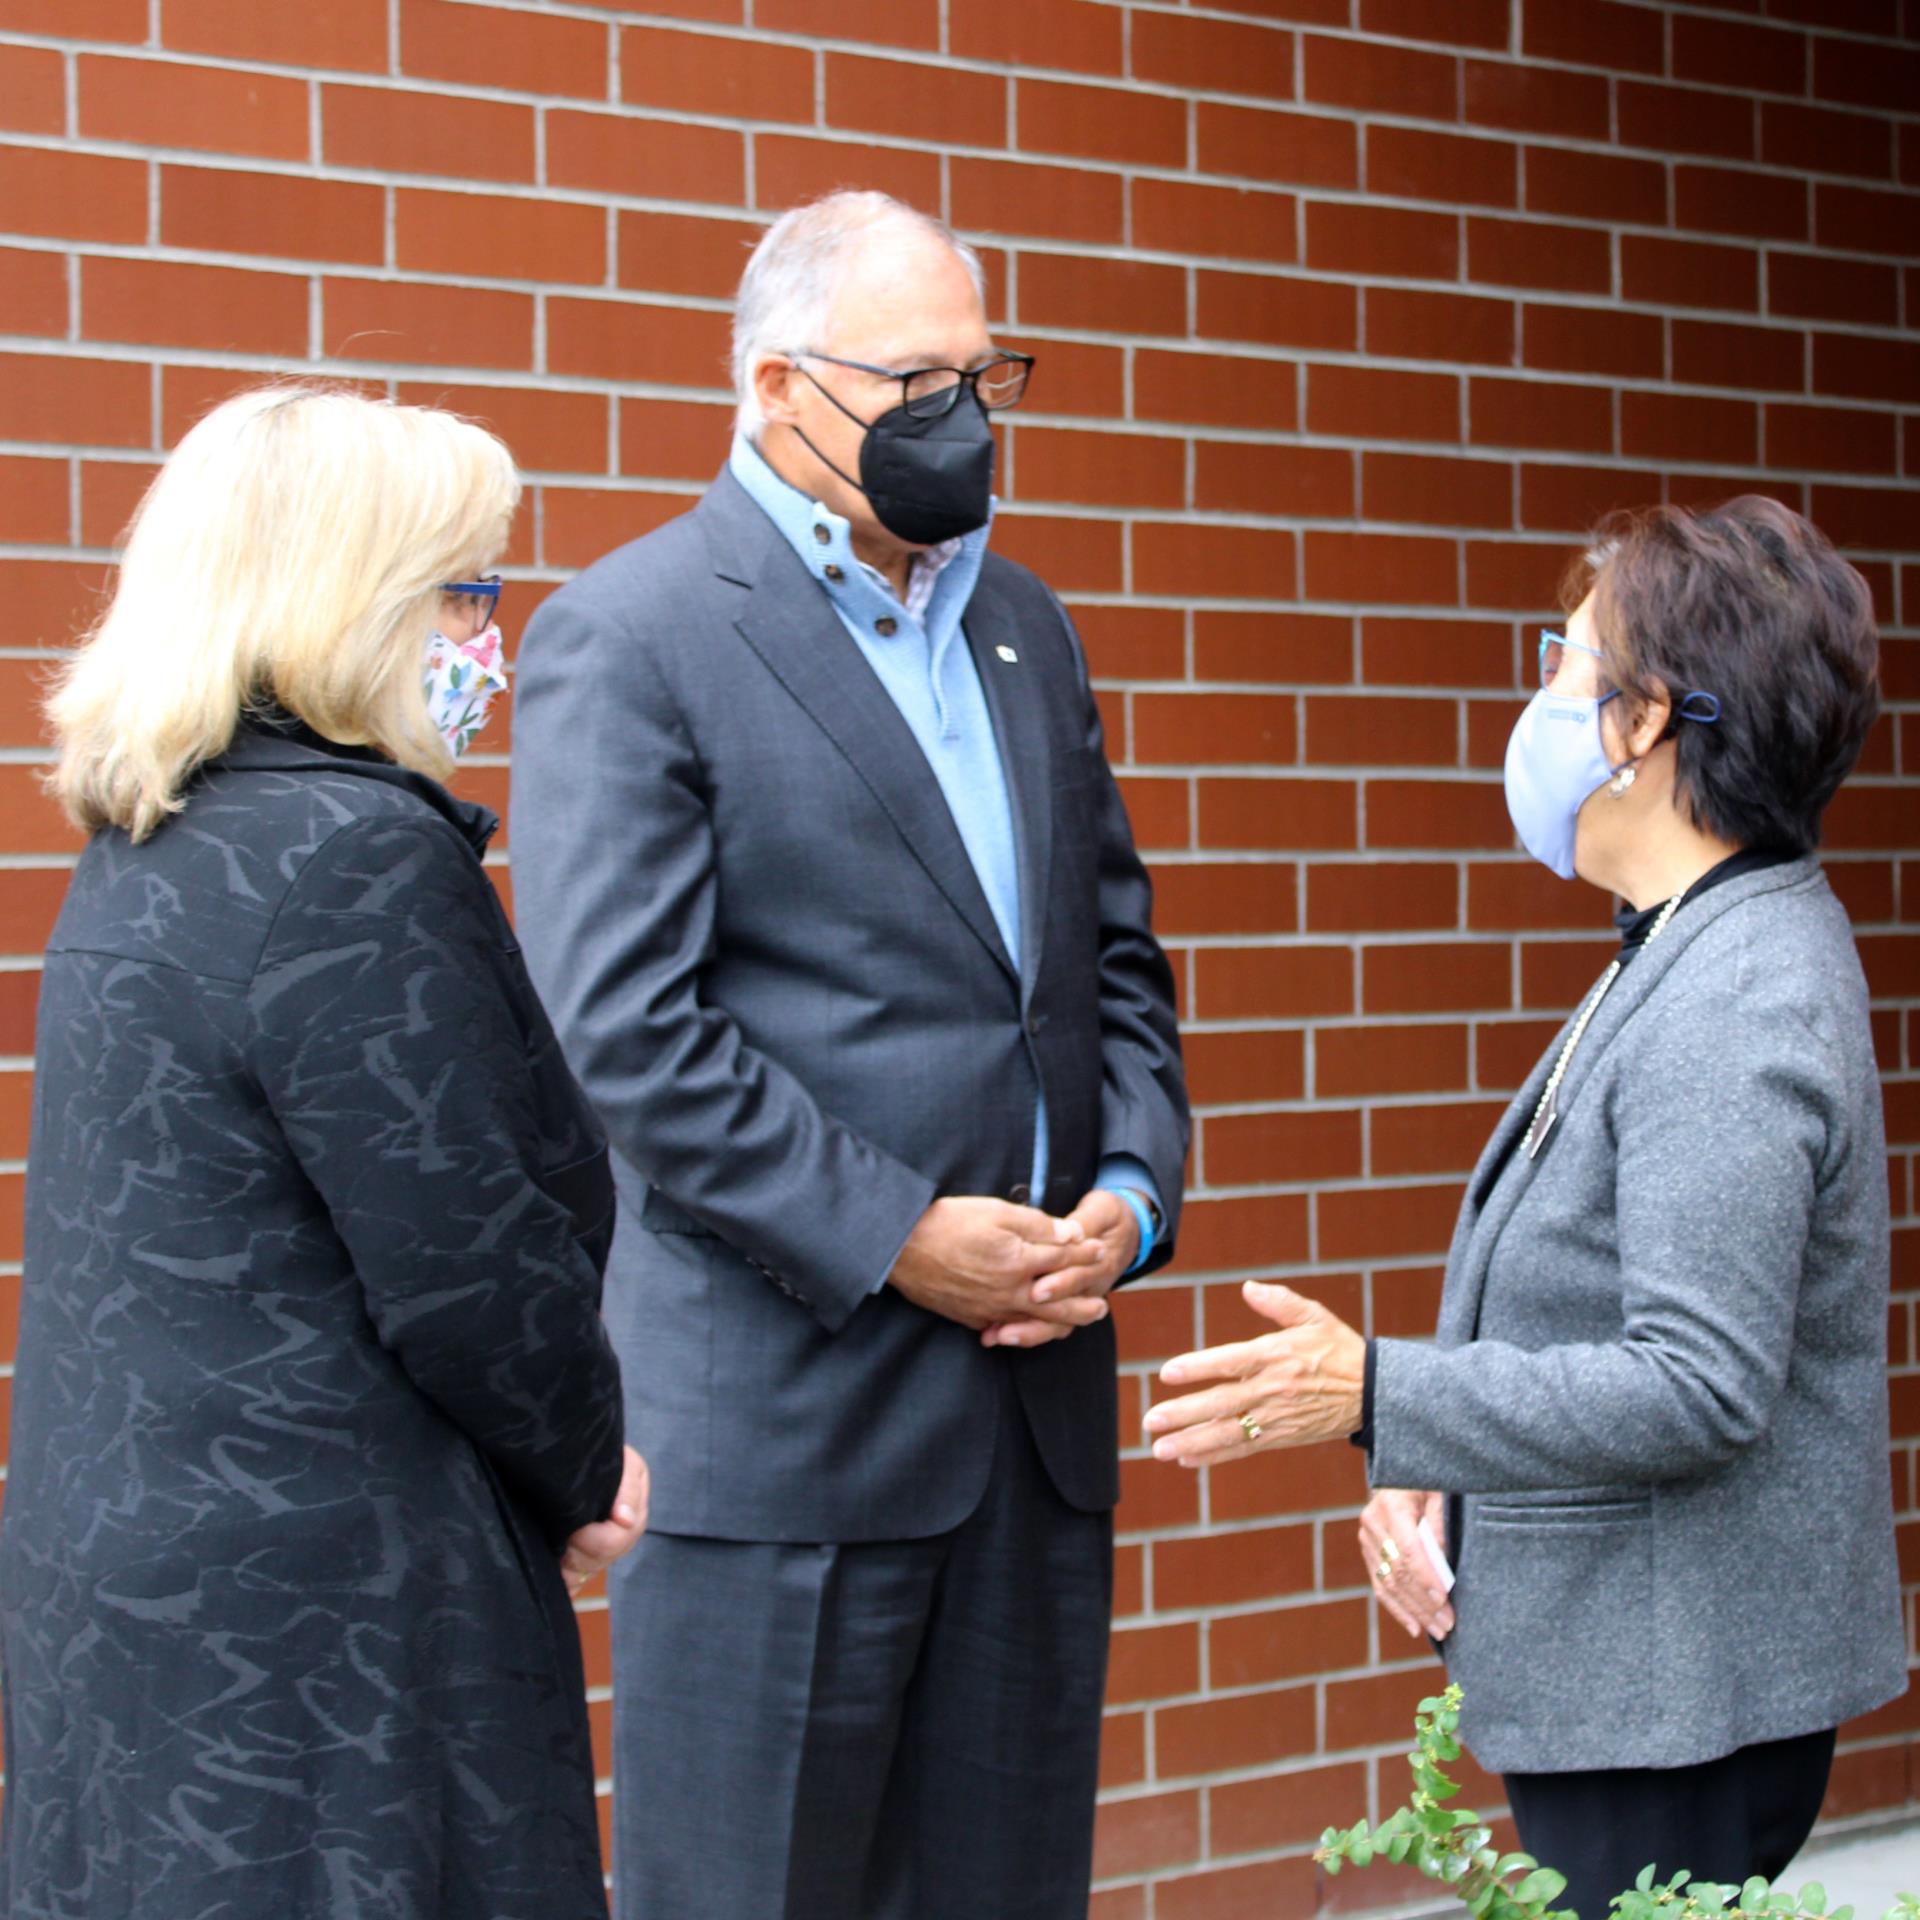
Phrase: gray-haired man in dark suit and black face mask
pixel 832 898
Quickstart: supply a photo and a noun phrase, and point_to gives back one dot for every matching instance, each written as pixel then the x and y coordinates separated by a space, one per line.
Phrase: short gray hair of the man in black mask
pixel 786 295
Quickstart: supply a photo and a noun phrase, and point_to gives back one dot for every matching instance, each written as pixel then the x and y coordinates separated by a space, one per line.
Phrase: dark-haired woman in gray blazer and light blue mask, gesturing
pixel 1654 1426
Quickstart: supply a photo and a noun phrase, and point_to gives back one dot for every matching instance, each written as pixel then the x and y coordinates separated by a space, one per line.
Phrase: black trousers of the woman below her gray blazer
pixel 1731 1819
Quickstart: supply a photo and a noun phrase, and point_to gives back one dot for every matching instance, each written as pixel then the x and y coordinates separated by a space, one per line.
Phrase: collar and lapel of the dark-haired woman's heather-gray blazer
pixel 1500 1180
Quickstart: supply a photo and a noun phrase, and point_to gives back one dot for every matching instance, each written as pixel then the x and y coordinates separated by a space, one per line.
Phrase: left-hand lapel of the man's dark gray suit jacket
pixel 794 629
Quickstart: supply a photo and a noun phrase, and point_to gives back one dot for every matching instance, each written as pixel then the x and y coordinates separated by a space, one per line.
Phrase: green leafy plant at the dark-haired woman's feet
pixel 1454 1846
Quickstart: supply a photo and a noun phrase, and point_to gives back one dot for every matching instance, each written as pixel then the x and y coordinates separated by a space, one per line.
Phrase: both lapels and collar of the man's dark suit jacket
pixel 798 635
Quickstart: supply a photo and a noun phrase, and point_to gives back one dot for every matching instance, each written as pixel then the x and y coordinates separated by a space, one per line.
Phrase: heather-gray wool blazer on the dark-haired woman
pixel 1660 1376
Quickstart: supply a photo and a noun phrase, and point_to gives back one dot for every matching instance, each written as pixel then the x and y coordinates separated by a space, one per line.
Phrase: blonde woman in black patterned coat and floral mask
pixel 314 1418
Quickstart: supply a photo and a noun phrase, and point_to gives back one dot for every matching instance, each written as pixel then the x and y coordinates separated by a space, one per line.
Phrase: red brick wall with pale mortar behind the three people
pixel 1351 316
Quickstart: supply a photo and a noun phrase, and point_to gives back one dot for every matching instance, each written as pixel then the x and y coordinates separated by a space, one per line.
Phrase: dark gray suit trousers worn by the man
pixel 880 1731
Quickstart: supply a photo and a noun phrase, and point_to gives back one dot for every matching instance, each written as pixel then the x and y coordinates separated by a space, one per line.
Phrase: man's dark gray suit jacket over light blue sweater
pixel 775 971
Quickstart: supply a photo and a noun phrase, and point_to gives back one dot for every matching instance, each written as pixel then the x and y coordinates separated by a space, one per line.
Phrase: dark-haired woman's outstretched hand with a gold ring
pixel 1285 1389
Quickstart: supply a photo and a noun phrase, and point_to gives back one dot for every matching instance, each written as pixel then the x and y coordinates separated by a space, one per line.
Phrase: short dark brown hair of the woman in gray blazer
pixel 1754 606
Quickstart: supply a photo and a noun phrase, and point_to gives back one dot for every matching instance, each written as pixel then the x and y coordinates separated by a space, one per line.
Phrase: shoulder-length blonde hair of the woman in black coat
pixel 289 554
